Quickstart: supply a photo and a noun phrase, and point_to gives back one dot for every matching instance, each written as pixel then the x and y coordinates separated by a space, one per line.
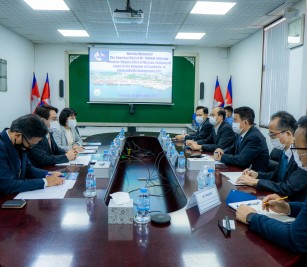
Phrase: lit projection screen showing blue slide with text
pixel 131 76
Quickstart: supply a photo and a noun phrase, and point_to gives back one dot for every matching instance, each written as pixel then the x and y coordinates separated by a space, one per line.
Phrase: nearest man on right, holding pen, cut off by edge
pixel 291 236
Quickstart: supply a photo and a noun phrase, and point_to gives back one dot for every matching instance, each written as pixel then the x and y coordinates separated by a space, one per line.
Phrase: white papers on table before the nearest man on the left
pixel 53 192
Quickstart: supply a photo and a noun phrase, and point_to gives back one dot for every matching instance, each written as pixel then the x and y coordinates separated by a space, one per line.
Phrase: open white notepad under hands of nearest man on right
pixel 257 205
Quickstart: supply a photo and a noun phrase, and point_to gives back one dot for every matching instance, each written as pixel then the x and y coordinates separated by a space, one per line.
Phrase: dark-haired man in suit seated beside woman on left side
pixel 46 152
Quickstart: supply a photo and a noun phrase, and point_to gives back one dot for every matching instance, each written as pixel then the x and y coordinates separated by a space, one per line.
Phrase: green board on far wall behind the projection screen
pixel 180 112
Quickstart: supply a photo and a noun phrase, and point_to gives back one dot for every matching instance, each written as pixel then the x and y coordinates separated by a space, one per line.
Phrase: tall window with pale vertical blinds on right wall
pixel 274 71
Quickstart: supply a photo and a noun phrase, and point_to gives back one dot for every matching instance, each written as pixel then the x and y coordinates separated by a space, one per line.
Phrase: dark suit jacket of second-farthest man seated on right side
pixel 224 137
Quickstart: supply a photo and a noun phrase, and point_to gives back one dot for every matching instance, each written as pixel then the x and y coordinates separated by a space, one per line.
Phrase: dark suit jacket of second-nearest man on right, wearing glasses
pixel 294 183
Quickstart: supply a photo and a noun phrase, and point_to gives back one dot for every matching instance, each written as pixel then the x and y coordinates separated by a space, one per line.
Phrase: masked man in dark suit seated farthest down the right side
pixel 204 128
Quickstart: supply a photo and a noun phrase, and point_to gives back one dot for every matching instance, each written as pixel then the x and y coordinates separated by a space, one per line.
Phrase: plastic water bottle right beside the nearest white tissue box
pixel 143 205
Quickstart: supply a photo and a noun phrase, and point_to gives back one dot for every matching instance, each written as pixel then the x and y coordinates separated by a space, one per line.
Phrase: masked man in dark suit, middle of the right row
pixel 250 148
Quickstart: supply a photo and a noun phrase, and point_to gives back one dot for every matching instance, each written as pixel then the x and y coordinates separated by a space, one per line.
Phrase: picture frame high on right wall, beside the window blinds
pixel 296 32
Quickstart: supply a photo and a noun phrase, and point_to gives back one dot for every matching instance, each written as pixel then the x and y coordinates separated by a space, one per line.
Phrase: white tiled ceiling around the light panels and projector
pixel 163 19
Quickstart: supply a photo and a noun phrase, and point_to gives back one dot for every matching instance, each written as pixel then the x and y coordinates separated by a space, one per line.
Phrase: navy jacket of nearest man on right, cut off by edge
pixel 291 236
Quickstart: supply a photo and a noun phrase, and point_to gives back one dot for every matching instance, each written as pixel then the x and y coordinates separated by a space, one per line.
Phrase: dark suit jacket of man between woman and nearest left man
pixel 43 155
